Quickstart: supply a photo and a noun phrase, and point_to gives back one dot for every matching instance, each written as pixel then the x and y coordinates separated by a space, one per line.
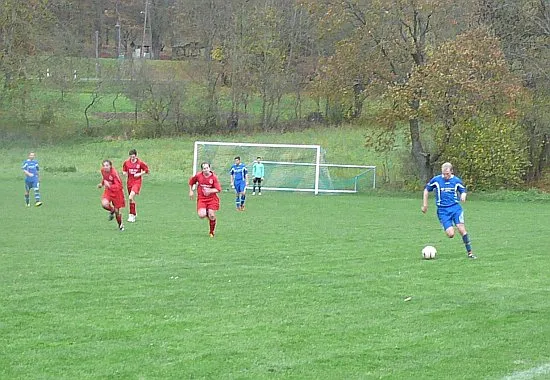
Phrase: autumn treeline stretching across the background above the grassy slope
pixel 462 81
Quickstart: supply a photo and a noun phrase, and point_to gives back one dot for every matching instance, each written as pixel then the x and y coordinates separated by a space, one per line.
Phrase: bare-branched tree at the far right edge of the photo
pixel 523 27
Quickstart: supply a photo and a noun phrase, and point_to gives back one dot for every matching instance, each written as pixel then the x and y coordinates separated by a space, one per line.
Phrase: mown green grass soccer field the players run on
pixel 297 286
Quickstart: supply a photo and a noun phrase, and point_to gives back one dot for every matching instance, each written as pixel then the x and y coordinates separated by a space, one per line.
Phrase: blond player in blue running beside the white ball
pixel 449 192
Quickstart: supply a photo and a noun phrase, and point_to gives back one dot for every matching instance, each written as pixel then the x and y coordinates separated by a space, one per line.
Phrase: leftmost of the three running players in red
pixel 112 199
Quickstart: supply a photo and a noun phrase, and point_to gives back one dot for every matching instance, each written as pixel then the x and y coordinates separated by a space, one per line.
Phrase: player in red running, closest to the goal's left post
pixel 208 188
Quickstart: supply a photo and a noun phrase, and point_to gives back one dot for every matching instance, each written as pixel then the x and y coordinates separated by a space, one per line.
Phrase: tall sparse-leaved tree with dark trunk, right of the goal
pixel 390 39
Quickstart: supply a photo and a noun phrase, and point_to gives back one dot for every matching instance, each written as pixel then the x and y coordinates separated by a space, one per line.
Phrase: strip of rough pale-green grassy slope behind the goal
pixel 172 158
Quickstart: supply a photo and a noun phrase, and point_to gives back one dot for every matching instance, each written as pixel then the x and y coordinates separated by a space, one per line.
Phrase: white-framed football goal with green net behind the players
pixel 288 167
